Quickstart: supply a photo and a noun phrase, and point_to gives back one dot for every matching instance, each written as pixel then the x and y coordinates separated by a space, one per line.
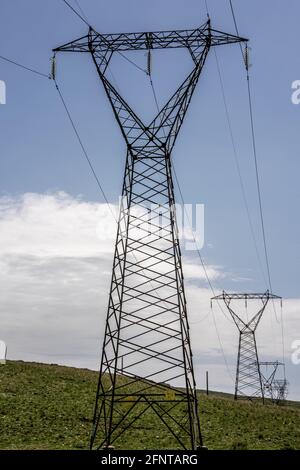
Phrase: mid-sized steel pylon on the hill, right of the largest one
pixel 248 383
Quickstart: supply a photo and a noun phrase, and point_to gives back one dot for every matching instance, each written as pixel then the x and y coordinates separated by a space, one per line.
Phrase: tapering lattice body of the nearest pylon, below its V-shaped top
pixel 146 366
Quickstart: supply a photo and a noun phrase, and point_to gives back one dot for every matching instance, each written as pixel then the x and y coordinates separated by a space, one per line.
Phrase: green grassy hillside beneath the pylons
pixel 50 407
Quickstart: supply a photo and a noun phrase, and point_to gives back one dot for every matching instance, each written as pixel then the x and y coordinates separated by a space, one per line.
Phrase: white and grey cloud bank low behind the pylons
pixel 55 265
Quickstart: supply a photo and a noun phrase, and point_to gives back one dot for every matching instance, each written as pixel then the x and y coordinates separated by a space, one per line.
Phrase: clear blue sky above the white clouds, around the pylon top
pixel 39 153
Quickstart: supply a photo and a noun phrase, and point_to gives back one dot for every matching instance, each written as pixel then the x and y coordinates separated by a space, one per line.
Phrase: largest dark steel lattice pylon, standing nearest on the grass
pixel 146 352
